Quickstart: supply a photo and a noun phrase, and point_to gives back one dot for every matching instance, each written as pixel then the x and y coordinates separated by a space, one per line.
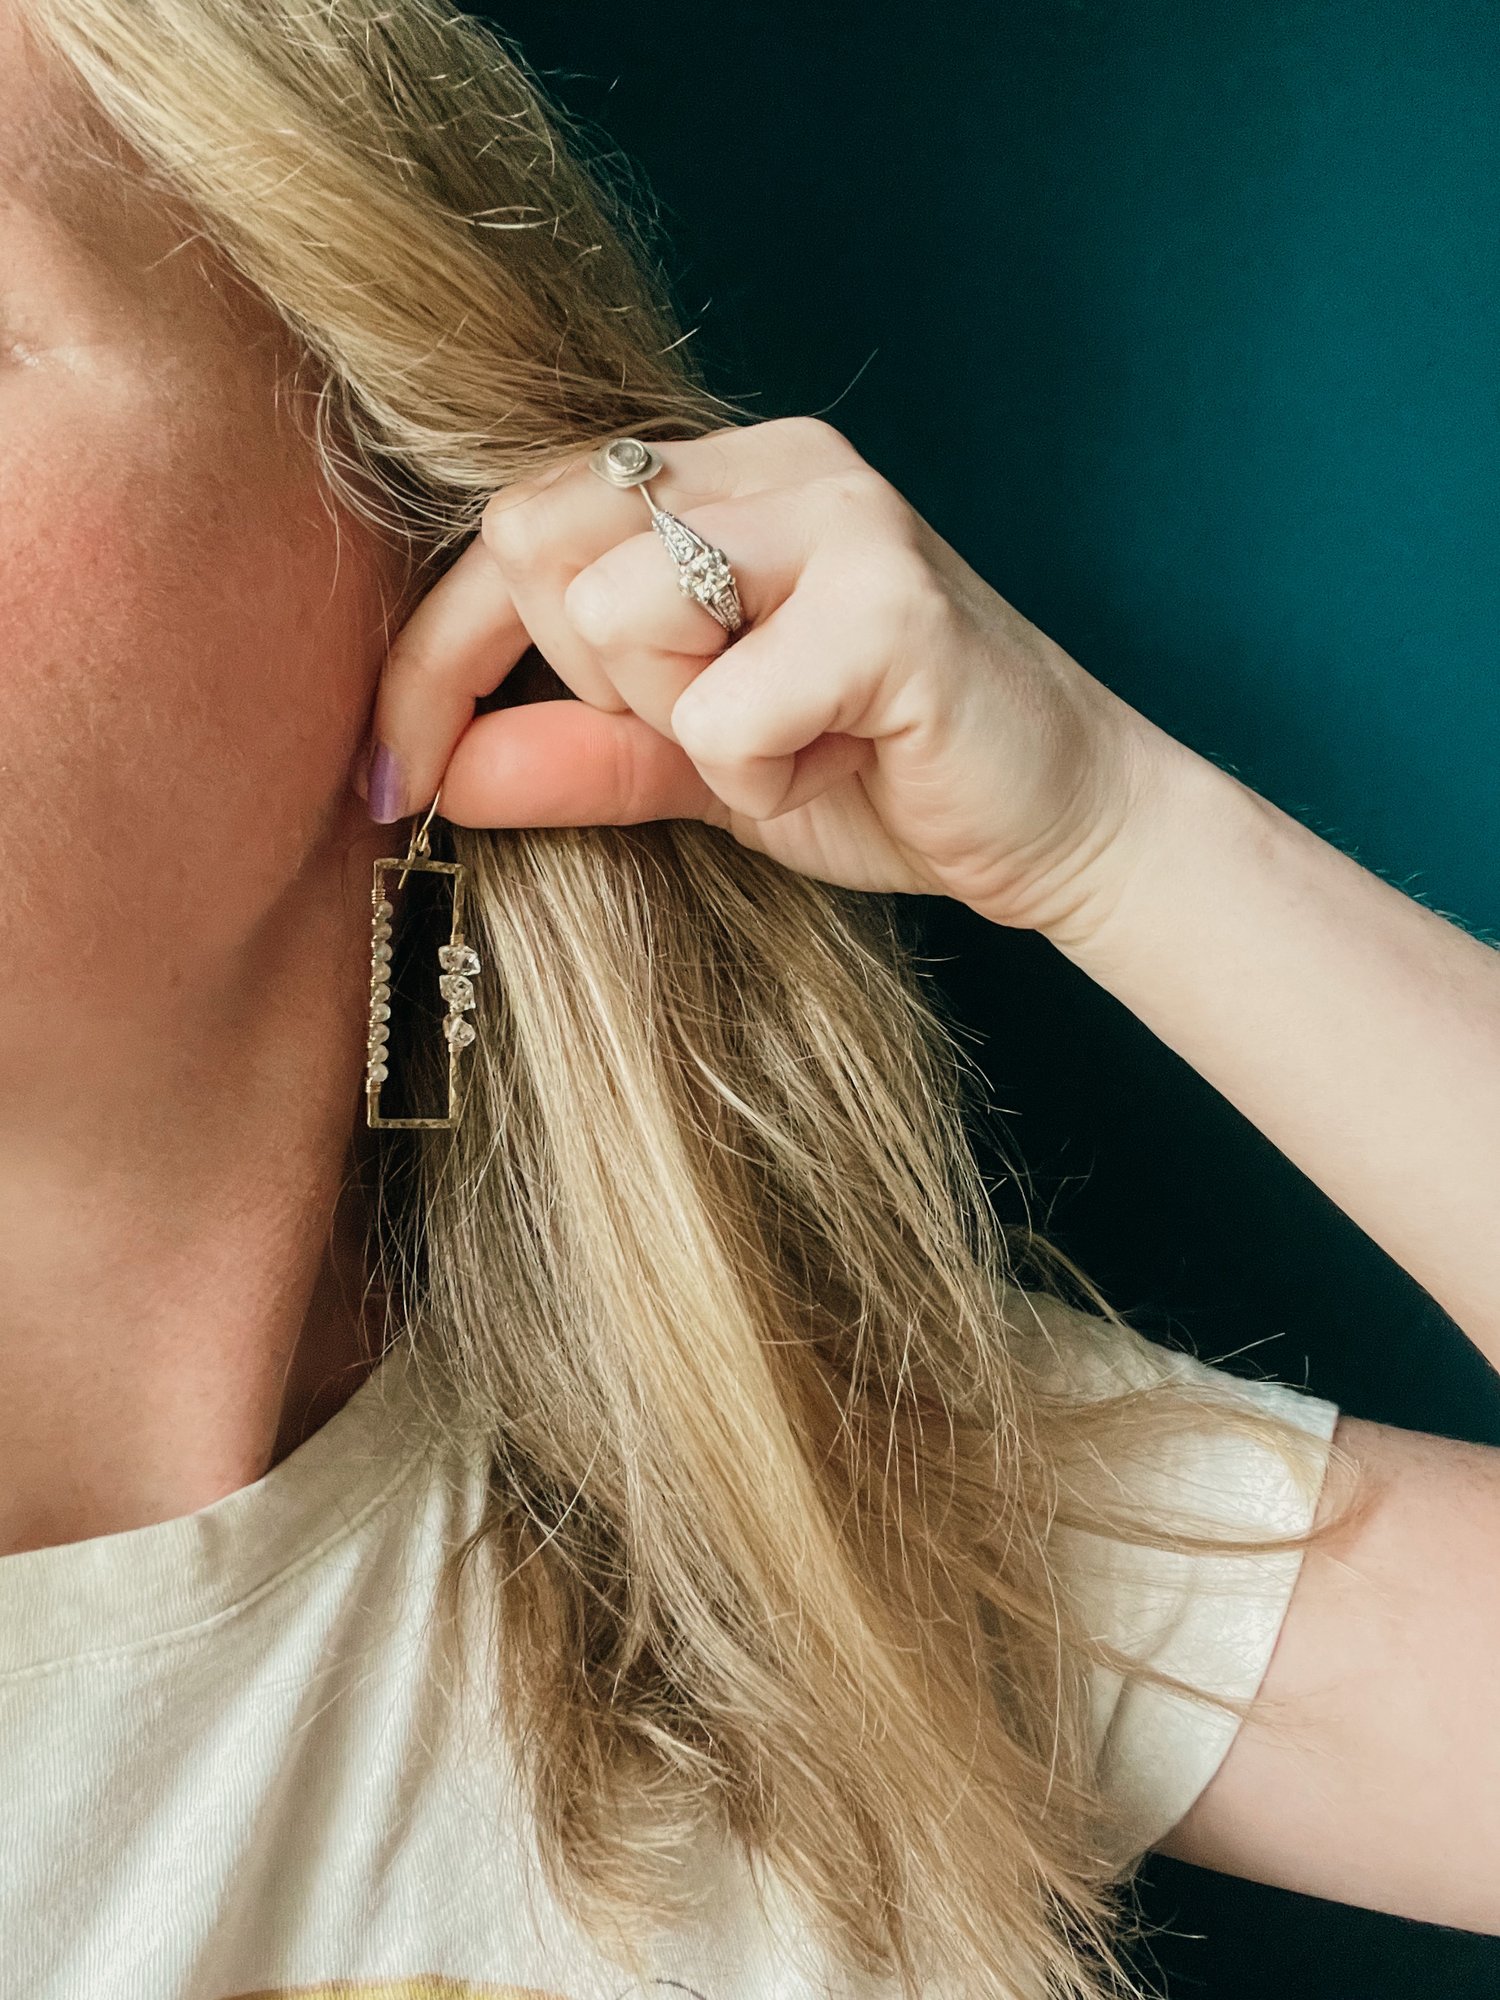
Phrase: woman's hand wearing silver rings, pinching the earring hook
pixel 883 721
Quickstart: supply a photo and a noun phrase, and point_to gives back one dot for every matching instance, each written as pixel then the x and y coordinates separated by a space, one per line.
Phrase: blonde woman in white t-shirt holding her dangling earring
pixel 639 1535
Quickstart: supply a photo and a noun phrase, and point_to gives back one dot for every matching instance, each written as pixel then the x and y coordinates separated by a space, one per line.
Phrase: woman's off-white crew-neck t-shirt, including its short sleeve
pixel 229 1767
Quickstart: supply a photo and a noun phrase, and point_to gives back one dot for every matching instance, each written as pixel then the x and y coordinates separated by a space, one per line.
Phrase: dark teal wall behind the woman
pixel 1181 321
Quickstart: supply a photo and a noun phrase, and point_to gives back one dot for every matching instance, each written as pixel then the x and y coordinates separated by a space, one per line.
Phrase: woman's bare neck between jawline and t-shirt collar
pixel 183 1215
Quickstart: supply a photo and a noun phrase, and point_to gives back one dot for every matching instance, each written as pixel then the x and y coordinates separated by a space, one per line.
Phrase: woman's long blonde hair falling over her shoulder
pixel 709 1271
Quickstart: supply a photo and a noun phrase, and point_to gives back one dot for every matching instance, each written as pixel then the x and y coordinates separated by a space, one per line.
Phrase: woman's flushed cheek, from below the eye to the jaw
pixel 187 657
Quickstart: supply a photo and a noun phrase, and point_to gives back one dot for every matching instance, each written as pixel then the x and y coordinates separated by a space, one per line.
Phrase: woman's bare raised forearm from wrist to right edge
pixel 1359 1031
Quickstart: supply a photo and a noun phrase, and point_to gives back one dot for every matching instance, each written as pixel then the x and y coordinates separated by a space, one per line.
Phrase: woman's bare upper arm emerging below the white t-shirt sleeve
pixel 1369 1769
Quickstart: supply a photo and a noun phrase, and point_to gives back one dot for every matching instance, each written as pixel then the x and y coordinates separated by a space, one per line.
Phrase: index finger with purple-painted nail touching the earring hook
pixel 461 643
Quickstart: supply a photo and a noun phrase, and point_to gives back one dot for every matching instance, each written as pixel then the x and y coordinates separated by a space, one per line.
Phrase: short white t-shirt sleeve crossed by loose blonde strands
pixel 1211 1621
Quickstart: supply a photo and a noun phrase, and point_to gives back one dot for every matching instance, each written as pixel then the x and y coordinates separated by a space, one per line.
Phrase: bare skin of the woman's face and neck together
pixel 191 639
